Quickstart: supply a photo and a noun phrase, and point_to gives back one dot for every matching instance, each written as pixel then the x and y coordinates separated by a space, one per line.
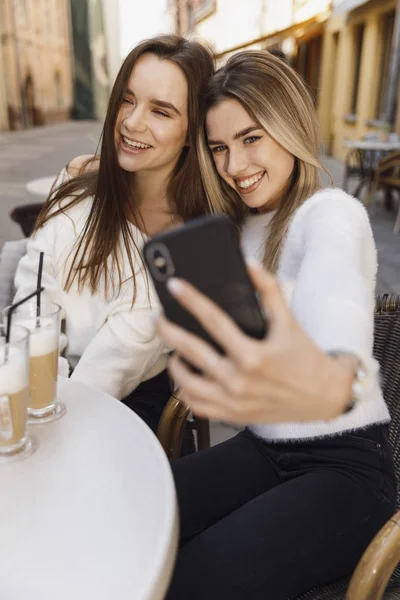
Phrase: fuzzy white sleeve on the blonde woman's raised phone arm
pixel 334 294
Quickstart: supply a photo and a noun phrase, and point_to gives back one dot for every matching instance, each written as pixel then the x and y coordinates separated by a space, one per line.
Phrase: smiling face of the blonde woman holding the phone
pixel 246 157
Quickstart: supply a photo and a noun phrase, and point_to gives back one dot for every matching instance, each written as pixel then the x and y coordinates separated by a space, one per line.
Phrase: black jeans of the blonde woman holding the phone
pixel 268 521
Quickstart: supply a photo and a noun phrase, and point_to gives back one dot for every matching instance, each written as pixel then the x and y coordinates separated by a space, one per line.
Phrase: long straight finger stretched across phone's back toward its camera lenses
pixel 215 321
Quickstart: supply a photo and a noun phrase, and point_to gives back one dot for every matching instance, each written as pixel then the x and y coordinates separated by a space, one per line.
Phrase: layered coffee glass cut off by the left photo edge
pixel 14 394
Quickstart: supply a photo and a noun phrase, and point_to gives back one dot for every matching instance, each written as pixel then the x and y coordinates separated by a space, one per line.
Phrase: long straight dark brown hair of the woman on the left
pixel 97 252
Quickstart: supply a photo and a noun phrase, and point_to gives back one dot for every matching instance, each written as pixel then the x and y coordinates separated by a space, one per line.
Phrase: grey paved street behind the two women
pixel 43 151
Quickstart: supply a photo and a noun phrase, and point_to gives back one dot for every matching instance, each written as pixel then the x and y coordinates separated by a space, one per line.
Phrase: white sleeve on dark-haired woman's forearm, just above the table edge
pixel 120 354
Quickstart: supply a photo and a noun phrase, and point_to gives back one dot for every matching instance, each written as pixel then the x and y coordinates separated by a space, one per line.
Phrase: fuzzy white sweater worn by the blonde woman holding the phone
pixel 327 269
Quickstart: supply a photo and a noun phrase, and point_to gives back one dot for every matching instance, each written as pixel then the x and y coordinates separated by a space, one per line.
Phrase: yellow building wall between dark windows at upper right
pixel 337 75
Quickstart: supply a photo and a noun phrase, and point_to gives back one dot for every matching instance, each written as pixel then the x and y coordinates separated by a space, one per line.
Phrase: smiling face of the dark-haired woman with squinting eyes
pixel 152 122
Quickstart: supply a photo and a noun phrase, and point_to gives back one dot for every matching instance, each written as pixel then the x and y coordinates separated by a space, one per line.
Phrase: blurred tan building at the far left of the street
pixel 35 55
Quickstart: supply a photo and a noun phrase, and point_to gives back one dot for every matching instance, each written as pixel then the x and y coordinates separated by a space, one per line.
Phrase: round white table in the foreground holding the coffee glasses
pixel 92 513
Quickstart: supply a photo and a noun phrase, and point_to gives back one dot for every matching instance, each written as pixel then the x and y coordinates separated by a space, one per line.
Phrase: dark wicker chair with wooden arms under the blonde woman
pixel 379 561
